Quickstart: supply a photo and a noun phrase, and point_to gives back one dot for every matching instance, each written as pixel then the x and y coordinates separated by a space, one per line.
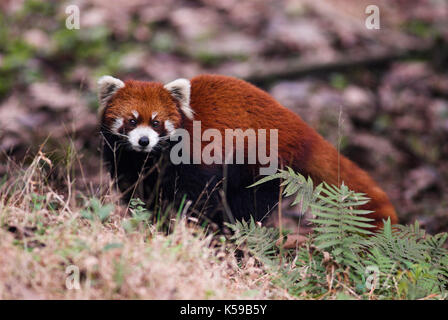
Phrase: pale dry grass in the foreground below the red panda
pixel 43 232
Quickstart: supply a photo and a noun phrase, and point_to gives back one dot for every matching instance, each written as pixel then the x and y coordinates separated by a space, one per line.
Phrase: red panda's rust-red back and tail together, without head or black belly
pixel 222 102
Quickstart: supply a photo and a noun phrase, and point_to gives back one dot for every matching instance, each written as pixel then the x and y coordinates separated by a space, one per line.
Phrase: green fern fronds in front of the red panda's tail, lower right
pixel 342 258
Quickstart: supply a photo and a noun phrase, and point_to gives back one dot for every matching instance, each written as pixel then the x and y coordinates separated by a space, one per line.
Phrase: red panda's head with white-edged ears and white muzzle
pixel 143 113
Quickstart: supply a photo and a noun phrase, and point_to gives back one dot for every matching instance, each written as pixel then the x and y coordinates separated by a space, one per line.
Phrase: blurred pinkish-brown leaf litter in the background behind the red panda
pixel 316 57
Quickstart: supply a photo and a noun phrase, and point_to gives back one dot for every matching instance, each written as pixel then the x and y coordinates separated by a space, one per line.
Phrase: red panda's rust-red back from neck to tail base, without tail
pixel 222 102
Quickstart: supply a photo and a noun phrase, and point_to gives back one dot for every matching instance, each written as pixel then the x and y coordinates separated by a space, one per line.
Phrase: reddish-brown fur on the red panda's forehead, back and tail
pixel 223 102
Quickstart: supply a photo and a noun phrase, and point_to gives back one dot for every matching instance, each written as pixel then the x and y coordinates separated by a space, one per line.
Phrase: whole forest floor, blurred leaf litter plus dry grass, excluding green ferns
pixel 389 87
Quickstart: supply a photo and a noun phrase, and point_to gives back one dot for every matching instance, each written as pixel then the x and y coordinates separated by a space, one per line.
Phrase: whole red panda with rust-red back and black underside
pixel 139 118
